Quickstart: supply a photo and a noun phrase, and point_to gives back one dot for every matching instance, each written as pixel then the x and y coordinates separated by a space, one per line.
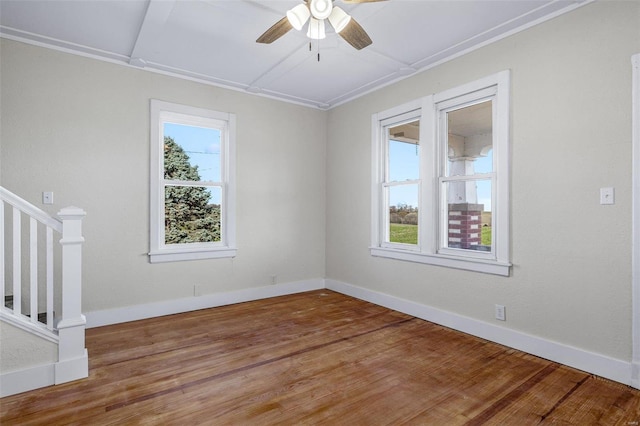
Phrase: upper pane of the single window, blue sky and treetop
pixel 191 153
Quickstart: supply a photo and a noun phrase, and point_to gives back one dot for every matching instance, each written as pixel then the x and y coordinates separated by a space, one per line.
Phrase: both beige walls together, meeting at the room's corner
pixel 80 128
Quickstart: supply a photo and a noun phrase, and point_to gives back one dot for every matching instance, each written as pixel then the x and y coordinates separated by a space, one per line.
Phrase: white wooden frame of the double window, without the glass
pixel 432 211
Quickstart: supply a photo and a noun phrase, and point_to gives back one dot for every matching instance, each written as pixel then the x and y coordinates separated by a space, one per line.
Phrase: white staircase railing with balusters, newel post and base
pixel 41 290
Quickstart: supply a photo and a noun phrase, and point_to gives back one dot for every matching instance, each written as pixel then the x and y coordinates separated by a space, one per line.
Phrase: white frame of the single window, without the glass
pixel 162 112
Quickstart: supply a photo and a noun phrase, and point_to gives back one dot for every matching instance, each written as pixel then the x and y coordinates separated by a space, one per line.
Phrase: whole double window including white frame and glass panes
pixel 441 178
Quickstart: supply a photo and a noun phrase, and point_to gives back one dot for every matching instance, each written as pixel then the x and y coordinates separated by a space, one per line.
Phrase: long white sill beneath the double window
pixel 468 264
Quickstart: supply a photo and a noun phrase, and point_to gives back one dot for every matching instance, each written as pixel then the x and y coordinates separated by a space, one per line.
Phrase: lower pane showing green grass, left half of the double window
pixel 403 214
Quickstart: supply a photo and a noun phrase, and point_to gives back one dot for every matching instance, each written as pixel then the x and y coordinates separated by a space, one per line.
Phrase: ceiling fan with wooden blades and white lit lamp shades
pixel 317 12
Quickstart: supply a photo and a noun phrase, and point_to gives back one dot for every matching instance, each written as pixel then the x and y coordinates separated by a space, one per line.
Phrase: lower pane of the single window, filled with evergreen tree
pixel 192 214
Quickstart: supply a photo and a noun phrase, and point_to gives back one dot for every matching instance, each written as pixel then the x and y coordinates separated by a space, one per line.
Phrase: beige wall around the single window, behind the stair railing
pixel 80 128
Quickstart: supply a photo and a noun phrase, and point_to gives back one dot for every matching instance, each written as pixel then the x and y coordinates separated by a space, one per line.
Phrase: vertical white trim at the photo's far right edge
pixel 635 225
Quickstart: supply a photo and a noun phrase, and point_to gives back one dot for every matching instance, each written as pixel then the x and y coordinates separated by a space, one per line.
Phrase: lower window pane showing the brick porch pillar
pixel 468 224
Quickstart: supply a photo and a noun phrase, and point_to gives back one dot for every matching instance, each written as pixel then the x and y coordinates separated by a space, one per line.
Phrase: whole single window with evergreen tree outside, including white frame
pixel 192 183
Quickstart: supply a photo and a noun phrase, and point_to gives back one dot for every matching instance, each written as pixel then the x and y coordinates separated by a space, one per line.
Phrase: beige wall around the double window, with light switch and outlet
pixel 570 136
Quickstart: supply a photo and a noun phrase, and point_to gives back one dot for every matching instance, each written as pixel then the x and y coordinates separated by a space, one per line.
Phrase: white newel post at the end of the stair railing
pixel 72 355
